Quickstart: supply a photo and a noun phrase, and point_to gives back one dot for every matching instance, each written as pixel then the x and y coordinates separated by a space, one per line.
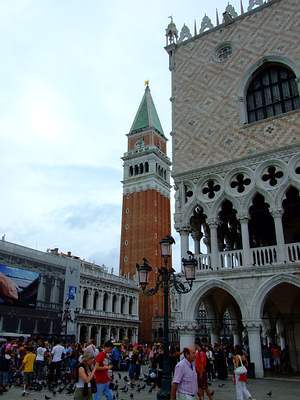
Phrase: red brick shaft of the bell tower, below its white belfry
pixel 149 220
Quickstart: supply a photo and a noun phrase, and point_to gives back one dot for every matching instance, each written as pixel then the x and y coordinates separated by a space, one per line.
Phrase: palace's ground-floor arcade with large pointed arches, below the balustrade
pixel 254 311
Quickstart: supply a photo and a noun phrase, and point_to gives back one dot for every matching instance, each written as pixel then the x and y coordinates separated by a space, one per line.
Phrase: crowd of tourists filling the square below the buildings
pixel 88 372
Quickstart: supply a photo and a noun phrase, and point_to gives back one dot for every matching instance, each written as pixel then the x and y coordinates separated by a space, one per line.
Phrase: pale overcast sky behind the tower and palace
pixel 72 76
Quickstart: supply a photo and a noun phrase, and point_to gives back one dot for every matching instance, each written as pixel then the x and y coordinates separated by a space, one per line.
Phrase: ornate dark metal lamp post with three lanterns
pixel 165 278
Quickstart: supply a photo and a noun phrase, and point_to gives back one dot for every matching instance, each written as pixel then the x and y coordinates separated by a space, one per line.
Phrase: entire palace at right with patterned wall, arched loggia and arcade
pixel 236 167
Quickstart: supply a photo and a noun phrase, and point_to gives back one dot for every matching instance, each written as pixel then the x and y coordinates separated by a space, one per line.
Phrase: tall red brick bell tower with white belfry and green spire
pixel 146 205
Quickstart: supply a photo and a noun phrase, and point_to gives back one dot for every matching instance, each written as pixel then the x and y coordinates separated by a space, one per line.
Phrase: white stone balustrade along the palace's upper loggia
pixel 259 256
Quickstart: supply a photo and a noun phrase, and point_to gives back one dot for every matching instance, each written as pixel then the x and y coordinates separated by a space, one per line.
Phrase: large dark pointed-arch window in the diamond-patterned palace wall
pixel 272 91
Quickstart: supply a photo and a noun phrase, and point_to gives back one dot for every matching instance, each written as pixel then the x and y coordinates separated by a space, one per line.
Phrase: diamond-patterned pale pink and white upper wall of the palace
pixel 208 99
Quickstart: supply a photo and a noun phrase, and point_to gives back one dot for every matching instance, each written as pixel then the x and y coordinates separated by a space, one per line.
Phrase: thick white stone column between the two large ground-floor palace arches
pixel 253 329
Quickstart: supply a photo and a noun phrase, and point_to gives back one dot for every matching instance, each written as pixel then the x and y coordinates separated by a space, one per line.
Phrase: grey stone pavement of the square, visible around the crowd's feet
pixel 281 390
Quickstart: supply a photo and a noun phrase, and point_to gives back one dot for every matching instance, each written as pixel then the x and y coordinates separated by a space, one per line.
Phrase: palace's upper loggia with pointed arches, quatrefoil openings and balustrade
pixel 247 218
